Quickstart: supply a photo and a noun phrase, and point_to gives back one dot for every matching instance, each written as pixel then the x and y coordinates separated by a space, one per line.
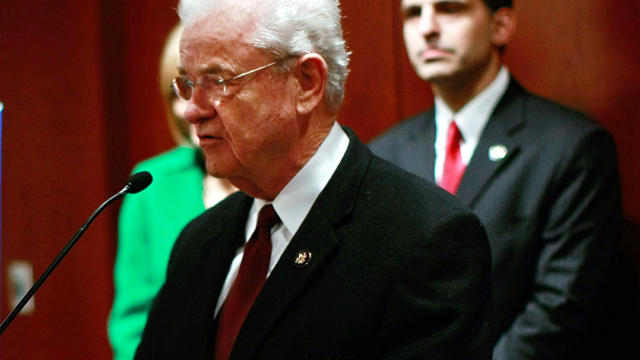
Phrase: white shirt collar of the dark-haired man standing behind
pixel 473 116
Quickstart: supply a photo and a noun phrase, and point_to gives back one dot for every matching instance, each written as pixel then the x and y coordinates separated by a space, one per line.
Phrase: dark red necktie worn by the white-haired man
pixel 245 289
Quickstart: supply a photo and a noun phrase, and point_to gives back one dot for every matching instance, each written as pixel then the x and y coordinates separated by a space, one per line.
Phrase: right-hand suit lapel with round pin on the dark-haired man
pixel 497 145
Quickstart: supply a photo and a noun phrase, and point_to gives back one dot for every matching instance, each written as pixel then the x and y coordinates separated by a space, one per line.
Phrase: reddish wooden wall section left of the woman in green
pixel 54 175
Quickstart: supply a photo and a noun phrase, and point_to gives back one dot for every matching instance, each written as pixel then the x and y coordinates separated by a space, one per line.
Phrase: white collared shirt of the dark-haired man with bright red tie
pixel 471 120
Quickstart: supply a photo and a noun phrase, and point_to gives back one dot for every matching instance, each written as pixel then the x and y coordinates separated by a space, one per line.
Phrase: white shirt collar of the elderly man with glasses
pixel 293 203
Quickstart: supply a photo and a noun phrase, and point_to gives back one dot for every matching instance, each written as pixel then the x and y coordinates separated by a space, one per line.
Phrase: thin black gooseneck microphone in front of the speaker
pixel 136 183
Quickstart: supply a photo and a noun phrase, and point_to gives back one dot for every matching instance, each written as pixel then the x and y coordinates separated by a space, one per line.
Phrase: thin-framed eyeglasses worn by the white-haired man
pixel 214 84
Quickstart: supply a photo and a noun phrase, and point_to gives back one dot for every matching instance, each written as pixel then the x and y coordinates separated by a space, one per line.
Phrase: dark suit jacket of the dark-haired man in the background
pixel 552 212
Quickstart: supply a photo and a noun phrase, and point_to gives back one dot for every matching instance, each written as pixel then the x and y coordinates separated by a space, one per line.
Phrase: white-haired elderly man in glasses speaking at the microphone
pixel 351 257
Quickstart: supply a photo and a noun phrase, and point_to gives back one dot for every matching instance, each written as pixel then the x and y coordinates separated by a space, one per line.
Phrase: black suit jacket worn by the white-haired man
pixel 399 270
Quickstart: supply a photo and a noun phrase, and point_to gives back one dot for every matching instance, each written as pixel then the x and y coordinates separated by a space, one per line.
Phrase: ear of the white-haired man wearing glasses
pixel 311 74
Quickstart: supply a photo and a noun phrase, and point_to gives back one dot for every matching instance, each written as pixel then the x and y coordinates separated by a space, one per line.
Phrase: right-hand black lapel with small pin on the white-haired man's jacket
pixel 316 236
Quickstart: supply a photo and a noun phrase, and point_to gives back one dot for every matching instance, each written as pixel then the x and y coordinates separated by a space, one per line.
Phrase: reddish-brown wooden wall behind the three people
pixel 78 80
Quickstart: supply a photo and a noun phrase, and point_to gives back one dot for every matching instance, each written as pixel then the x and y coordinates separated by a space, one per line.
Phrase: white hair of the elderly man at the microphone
pixel 288 28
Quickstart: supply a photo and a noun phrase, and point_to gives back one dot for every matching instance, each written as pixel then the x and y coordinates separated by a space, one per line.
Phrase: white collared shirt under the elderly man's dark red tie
pixel 293 203
